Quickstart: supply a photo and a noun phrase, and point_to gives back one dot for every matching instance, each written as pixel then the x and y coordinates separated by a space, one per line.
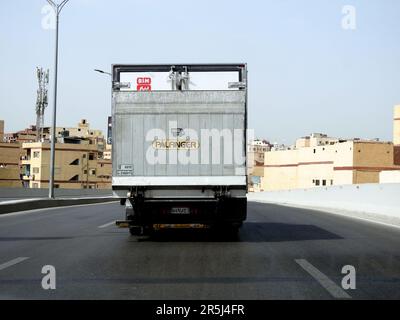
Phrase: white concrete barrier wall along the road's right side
pixel 380 202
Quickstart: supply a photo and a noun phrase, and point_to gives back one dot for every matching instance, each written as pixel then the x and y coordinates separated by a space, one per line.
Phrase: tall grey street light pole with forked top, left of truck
pixel 57 10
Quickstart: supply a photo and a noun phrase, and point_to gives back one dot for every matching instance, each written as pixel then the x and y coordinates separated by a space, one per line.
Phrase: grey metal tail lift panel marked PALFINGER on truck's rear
pixel 136 113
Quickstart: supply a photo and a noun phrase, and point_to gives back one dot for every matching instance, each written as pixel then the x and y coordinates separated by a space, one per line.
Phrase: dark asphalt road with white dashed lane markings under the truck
pixel 280 253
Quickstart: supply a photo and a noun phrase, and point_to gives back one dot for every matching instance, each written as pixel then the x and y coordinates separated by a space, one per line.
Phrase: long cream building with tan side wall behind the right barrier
pixel 318 160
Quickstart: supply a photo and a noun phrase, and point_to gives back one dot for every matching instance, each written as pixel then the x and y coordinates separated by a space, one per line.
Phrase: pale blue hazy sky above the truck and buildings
pixel 306 72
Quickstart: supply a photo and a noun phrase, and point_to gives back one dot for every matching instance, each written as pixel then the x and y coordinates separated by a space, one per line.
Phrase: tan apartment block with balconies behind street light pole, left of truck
pixel 77 165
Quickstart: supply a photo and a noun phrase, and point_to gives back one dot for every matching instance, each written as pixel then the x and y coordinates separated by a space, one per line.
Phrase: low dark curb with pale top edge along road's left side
pixel 23 205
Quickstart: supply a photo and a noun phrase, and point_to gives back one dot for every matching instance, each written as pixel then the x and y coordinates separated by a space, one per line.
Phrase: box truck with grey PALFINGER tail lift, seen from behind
pixel 179 143
